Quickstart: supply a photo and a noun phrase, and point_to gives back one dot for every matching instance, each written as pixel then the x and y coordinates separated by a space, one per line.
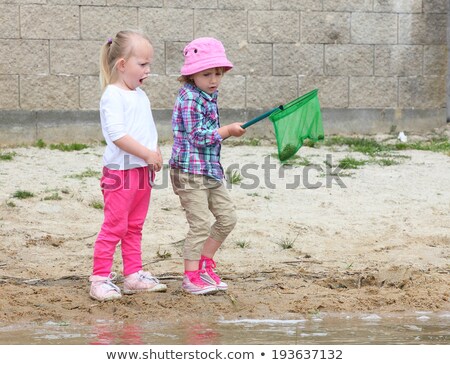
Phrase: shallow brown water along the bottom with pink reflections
pixel 415 328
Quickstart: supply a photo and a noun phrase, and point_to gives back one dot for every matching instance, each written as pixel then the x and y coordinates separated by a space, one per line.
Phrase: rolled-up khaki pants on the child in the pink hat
pixel 199 195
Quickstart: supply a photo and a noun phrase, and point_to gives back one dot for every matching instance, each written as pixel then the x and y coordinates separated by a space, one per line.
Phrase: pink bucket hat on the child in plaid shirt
pixel 202 54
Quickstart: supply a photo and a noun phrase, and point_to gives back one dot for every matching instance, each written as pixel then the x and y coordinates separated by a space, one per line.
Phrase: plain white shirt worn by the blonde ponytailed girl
pixel 125 112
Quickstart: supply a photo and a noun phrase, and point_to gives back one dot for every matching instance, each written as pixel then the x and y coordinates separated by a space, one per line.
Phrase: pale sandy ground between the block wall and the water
pixel 375 239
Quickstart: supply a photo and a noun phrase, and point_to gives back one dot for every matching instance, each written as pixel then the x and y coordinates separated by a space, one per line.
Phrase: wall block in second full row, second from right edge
pixel 400 60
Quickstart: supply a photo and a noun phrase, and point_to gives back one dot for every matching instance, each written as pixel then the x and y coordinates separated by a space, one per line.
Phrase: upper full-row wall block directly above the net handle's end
pixel 273 26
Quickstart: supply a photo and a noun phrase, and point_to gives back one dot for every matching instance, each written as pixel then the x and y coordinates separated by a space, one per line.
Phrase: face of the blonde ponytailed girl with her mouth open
pixel 136 68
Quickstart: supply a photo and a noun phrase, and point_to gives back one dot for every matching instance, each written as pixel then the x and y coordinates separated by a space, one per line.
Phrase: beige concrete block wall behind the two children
pixel 378 64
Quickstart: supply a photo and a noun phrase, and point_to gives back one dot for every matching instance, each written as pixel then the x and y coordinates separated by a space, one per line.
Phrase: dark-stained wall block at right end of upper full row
pixel 422 29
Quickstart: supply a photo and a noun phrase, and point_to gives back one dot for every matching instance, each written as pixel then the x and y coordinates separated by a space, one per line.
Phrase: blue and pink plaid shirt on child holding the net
pixel 197 143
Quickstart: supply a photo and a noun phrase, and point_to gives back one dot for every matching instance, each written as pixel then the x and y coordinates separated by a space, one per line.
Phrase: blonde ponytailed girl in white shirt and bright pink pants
pixel 130 161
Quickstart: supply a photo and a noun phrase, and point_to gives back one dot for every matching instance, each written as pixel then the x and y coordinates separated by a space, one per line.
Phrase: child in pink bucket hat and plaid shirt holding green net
pixel 196 173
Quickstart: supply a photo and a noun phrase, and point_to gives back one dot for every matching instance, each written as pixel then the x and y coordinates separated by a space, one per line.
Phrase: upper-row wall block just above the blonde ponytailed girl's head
pixel 101 23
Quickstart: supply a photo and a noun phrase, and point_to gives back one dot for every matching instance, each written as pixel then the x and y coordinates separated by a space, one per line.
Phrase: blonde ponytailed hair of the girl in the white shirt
pixel 121 46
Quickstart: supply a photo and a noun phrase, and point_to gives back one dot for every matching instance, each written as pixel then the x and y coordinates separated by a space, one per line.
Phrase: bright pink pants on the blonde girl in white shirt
pixel 126 194
